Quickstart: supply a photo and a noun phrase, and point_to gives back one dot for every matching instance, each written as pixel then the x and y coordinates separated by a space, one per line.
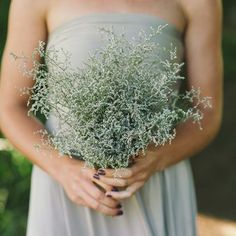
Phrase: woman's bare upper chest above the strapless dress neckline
pixel 62 11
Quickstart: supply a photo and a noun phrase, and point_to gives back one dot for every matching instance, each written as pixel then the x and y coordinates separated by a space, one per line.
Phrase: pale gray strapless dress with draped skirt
pixel 164 206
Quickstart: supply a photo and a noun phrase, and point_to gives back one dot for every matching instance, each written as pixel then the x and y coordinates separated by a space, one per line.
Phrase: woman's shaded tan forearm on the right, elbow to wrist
pixel 189 141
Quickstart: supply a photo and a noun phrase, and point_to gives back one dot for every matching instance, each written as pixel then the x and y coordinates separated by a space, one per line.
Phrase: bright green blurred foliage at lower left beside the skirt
pixel 14 191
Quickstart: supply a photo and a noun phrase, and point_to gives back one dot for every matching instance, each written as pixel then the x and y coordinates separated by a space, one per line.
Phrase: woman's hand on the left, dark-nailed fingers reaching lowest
pixel 79 184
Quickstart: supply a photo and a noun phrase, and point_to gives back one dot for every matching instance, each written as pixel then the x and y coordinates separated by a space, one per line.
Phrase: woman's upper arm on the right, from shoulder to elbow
pixel 203 51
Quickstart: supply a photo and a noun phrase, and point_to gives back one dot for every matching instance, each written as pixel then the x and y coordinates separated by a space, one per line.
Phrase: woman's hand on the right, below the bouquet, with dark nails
pixel 130 179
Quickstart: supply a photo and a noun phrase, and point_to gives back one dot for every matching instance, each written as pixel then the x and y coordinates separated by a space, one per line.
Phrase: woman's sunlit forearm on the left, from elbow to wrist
pixel 21 129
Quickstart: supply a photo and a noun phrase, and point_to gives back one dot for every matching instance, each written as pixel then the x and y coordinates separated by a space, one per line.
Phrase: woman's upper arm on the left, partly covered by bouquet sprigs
pixel 26 27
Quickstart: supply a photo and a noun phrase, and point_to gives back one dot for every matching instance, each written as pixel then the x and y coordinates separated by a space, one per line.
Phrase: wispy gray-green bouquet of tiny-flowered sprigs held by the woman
pixel 125 97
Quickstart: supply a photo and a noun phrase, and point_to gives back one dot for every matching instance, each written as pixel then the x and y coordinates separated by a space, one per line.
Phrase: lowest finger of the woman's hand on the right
pixel 127 193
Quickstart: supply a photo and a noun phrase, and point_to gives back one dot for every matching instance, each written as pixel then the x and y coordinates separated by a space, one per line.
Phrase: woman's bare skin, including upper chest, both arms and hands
pixel 200 20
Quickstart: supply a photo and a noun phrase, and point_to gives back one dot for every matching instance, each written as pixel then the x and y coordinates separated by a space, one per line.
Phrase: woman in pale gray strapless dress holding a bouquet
pixel 158 196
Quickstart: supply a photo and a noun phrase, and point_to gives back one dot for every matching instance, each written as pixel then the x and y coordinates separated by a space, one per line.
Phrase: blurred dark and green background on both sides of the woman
pixel 214 168
